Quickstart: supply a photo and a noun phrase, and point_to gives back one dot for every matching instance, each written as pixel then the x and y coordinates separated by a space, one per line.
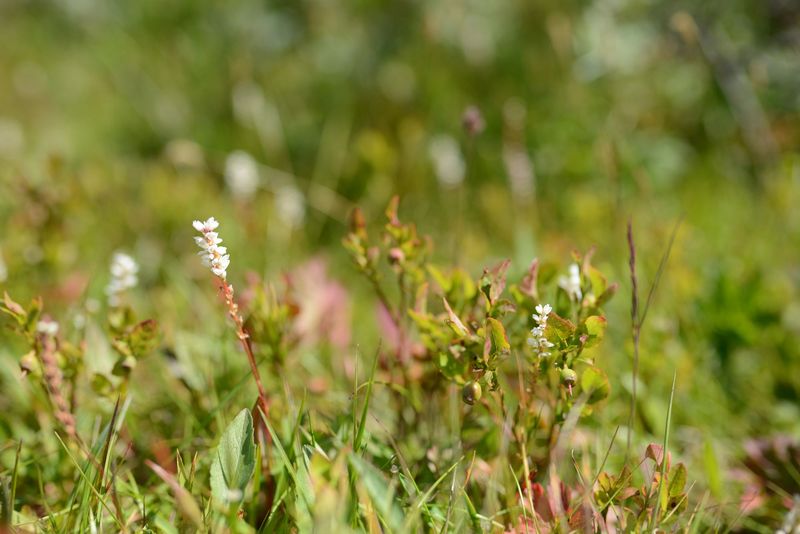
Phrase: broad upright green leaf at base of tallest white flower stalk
pixel 235 459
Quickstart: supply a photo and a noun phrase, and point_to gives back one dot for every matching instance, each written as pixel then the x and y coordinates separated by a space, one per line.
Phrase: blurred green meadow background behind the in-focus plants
pixel 120 122
